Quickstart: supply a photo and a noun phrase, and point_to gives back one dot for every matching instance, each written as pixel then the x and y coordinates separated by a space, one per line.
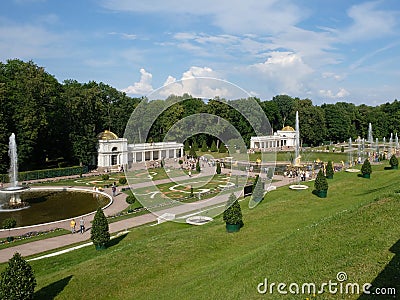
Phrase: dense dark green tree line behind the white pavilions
pixel 56 124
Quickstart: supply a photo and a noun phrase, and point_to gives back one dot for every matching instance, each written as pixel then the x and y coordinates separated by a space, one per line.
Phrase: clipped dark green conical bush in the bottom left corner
pixel 17 280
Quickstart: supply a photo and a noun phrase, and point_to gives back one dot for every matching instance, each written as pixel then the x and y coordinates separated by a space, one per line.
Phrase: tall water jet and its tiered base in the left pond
pixel 14 189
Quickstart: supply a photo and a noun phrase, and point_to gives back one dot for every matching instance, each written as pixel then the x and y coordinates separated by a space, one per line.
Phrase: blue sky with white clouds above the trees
pixel 324 50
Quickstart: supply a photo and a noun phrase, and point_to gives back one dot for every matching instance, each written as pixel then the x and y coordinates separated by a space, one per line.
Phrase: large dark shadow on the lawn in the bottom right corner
pixel 389 277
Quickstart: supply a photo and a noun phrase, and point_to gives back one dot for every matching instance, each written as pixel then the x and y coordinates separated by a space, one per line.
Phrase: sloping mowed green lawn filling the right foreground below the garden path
pixel 291 237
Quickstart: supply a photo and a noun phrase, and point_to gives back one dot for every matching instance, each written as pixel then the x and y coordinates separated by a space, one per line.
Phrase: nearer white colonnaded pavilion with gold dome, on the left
pixel 114 152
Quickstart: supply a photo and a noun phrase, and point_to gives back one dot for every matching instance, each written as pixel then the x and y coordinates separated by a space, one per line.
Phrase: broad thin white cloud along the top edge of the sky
pixel 233 16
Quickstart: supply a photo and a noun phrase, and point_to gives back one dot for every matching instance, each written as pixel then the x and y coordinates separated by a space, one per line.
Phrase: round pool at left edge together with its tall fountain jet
pixel 46 204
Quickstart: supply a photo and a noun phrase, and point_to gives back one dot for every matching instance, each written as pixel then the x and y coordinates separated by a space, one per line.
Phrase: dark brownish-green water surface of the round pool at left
pixel 48 206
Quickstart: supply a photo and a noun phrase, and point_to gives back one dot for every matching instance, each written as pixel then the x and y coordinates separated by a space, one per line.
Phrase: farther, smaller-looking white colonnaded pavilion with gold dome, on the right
pixel 285 138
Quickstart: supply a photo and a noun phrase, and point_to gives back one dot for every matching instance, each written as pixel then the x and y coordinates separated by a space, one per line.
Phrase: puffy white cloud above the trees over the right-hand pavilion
pixel 285 71
